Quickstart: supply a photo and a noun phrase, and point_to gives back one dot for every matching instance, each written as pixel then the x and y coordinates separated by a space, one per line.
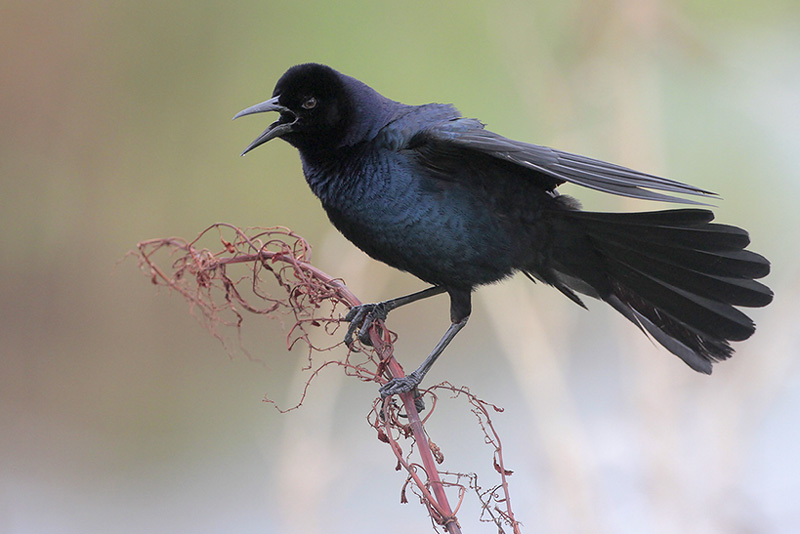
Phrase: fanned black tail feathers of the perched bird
pixel 674 274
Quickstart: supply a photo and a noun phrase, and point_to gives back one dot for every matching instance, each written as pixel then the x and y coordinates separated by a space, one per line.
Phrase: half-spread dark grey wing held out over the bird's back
pixel 463 138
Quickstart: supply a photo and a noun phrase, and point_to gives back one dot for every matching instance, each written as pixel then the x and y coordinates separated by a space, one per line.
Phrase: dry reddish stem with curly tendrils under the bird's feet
pixel 218 298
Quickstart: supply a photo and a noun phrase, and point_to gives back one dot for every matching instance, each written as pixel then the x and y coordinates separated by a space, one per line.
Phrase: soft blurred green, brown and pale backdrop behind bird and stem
pixel 120 413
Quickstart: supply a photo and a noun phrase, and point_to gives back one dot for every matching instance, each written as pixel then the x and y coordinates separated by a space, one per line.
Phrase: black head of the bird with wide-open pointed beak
pixel 314 108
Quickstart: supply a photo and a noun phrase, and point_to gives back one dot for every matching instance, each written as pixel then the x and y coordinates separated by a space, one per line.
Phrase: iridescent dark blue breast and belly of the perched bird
pixel 396 215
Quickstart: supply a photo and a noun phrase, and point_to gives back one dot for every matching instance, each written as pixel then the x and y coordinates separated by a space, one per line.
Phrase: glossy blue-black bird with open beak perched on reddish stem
pixel 430 192
